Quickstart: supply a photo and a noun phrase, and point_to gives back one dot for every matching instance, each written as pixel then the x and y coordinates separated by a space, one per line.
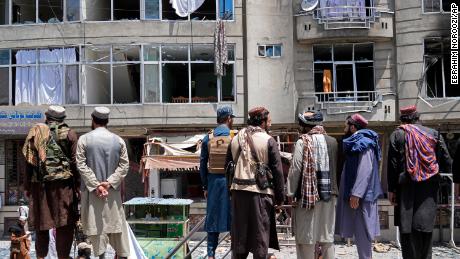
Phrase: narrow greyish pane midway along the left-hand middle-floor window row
pixel 151 83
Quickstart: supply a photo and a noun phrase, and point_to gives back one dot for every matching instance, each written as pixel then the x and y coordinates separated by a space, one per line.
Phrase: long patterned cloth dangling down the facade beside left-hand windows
pixel 220 49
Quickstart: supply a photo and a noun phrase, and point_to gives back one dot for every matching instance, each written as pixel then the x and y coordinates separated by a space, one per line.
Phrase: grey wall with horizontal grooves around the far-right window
pixel 412 27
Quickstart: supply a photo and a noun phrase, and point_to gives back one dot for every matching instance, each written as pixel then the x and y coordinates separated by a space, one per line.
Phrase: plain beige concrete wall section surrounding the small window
pixel 271 80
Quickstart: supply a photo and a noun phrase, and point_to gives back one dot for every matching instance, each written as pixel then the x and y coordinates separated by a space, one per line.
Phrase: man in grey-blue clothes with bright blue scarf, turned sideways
pixel 357 211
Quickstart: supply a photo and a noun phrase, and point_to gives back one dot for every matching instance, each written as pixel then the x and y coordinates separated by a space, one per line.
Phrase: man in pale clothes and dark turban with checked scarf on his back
pixel 315 224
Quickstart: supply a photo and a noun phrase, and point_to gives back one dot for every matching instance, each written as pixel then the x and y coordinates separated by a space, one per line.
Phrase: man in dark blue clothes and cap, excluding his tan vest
pixel 215 184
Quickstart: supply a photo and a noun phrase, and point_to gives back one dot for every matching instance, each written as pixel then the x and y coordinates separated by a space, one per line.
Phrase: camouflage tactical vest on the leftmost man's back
pixel 57 163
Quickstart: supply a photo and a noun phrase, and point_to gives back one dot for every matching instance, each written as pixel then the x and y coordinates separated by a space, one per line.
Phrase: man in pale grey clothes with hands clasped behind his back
pixel 102 160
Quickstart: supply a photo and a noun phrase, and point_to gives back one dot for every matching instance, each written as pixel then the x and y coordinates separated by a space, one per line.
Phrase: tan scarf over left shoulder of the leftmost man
pixel 35 144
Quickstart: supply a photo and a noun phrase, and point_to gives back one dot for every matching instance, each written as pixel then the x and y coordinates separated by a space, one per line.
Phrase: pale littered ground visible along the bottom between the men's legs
pixel 287 252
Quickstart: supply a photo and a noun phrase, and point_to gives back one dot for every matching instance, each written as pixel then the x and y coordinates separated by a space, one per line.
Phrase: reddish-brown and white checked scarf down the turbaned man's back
pixel 309 191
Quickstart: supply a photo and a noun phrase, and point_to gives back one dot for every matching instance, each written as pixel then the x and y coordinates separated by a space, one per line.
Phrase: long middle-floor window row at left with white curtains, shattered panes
pixel 115 74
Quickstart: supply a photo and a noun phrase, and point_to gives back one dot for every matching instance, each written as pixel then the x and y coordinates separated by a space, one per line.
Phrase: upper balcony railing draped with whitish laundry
pixel 343 17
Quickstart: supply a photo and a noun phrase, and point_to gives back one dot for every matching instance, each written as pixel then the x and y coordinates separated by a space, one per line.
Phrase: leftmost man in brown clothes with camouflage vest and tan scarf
pixel 52 181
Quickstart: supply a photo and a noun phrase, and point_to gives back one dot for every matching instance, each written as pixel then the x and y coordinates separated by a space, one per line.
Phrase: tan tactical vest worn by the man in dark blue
pixel 217 147
